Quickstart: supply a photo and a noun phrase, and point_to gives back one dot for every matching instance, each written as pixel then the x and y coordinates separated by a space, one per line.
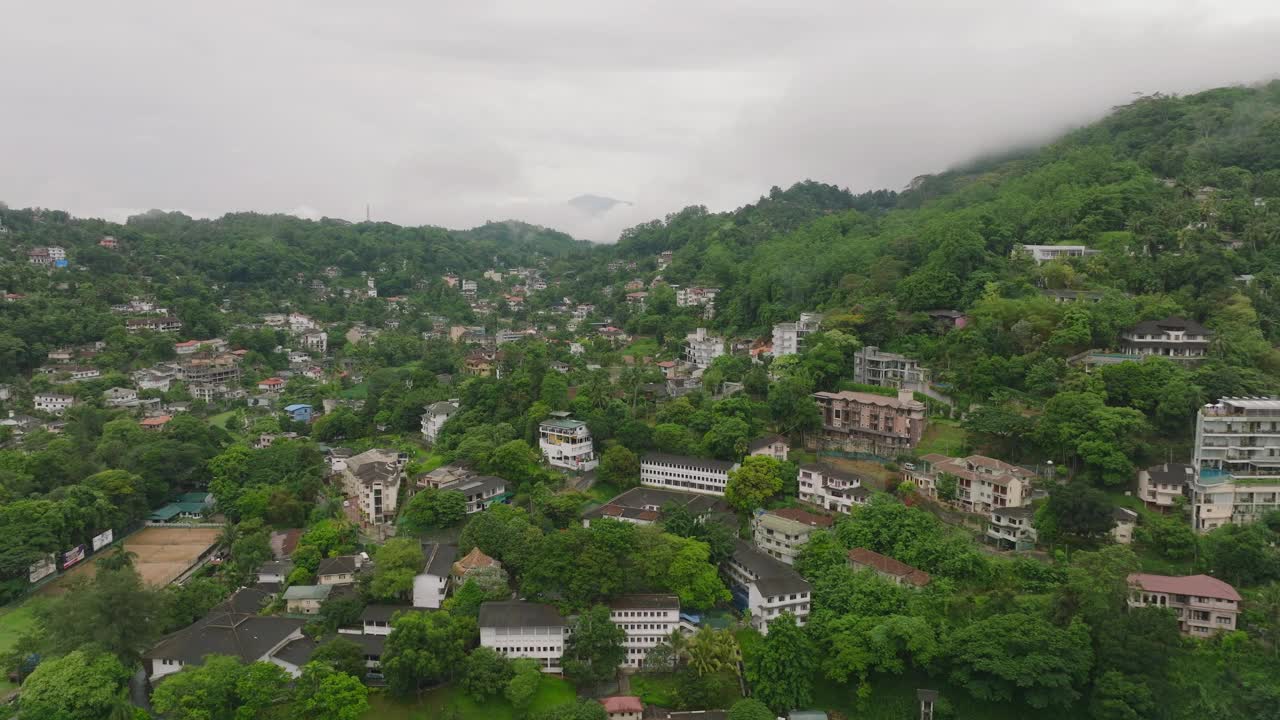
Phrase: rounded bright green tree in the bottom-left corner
pixel 79 686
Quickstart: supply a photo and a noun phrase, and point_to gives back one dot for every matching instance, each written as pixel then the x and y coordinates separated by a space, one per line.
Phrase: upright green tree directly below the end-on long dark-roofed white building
pixel 783 669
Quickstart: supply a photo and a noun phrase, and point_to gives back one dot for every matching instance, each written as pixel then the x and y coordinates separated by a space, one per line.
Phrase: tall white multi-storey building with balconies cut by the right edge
pixel 1237 461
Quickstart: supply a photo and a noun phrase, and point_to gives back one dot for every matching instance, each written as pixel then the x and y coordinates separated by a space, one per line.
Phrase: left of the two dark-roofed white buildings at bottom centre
pixel 525 630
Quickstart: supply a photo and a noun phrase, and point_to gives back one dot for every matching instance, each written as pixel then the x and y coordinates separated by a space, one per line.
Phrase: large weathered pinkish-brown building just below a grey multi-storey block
pixel 863 422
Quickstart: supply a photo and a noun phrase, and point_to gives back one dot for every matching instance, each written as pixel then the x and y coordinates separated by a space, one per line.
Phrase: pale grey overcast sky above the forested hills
pixel 458 113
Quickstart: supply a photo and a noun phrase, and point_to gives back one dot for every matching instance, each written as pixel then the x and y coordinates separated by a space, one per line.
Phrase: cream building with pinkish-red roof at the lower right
pixel 1204 605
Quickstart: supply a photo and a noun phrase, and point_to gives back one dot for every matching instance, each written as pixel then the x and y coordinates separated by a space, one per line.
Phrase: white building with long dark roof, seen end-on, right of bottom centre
pixel 766 587
